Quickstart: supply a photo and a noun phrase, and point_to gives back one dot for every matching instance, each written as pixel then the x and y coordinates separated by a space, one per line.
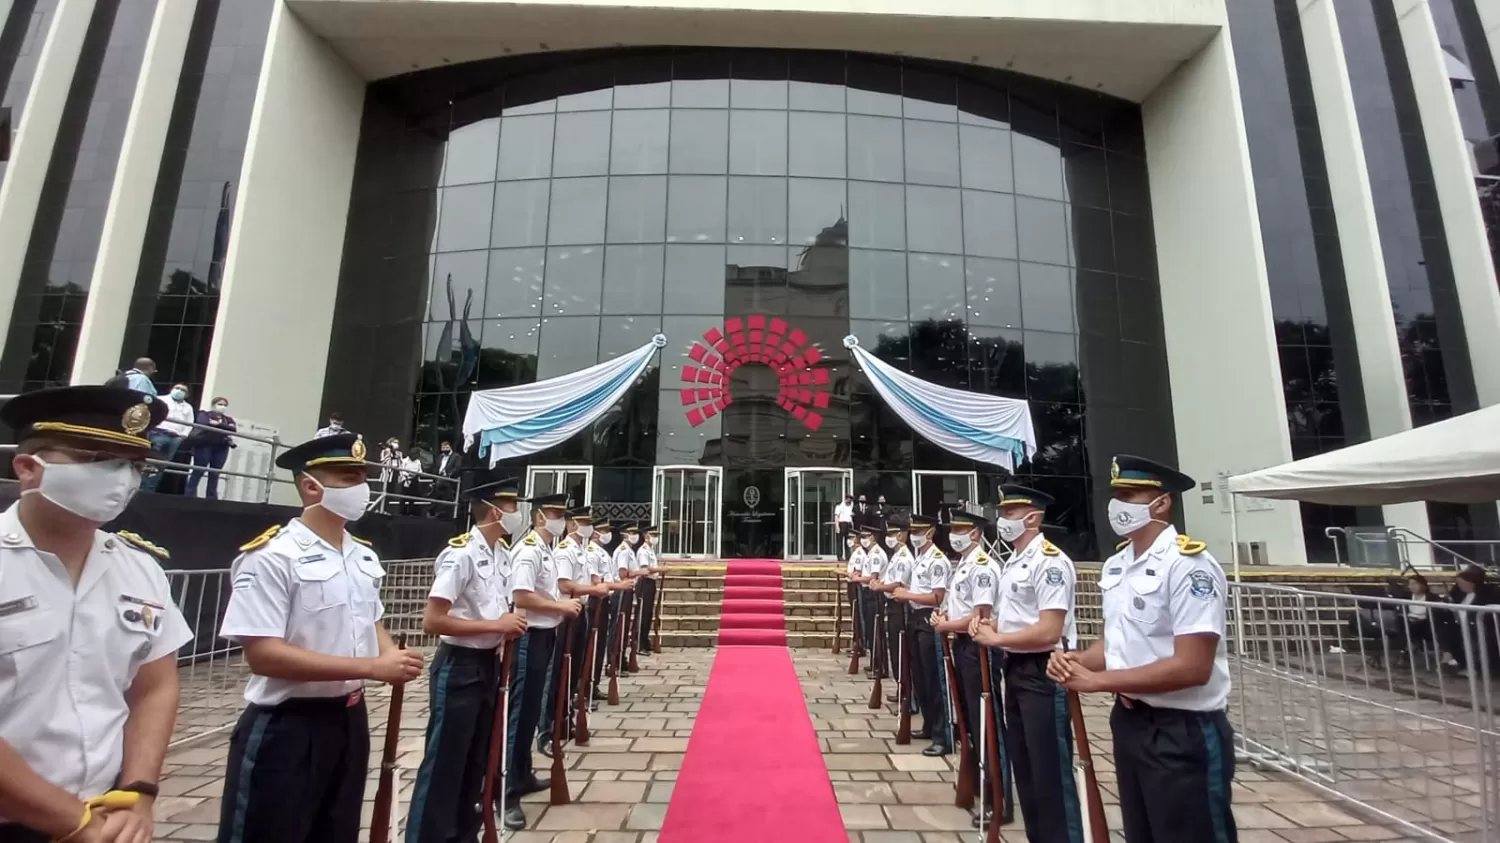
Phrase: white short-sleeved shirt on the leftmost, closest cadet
pixel 70 655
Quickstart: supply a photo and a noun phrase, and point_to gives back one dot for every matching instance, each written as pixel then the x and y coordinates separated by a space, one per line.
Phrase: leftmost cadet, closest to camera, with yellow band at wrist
pixel 89 631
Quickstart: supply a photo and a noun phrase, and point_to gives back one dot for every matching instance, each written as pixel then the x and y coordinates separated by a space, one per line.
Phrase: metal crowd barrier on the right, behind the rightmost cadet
pixel 1387 703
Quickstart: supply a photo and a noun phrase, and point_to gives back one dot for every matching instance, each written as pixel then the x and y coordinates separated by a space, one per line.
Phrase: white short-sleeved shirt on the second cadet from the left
pixel 302 590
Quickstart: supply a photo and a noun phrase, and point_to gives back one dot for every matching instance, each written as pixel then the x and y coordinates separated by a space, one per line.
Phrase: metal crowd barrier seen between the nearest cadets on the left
pixel 214 673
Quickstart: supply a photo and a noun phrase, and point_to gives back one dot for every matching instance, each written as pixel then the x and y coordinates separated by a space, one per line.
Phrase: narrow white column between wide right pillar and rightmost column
pixel 1381 368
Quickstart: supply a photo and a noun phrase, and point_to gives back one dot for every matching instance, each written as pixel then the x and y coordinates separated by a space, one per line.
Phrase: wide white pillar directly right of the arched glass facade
pixel 1216 301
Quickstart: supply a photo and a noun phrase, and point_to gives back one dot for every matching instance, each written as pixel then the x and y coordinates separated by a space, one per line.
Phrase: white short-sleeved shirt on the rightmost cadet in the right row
pixel 1151 601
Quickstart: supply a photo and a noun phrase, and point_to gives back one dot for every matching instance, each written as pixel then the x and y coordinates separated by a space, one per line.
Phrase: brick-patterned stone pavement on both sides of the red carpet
pixel 623 782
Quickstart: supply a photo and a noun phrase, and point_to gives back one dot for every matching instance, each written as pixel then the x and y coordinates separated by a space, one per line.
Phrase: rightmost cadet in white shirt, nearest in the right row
pixel 1165 659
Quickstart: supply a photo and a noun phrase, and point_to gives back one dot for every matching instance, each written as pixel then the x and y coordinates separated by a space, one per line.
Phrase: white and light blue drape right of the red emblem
pixel 980 427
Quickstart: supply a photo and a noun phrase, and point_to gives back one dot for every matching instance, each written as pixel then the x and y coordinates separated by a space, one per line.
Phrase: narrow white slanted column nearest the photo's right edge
pixel 1468 244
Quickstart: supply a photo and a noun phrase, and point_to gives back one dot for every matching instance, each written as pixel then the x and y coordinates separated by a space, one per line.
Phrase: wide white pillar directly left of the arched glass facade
pixel 281 274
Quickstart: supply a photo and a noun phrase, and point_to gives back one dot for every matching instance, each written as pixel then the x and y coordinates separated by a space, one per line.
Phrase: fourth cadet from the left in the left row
pixel 535 589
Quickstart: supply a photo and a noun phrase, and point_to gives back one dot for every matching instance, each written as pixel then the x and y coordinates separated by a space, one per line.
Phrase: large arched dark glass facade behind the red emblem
pixel 526 218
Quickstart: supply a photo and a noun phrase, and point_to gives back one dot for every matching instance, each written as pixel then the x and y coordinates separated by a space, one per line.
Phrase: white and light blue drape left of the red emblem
pixel 532 418
